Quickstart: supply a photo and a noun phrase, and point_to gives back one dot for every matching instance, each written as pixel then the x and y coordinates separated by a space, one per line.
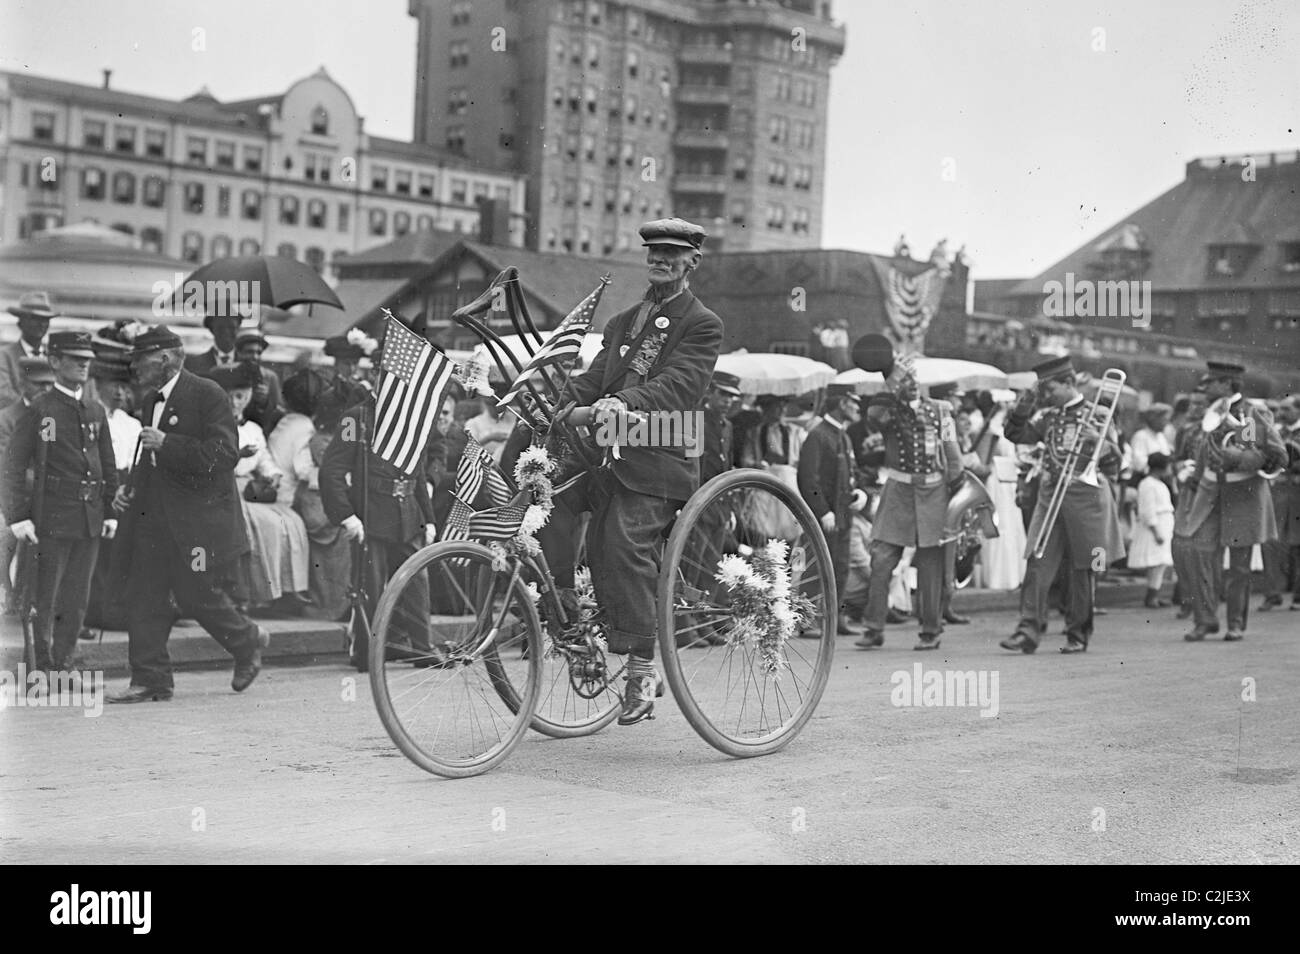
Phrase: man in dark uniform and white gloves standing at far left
pixel 66 439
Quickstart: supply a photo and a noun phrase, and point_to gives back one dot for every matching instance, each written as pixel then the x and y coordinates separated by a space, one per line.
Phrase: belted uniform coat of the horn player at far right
pixel 1238 493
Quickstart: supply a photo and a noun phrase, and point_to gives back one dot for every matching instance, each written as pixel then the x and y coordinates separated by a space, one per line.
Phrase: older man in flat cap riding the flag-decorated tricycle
pixel 656 357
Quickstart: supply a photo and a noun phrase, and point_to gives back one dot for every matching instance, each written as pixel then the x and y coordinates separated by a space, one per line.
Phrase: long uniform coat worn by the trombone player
pixel 1089 515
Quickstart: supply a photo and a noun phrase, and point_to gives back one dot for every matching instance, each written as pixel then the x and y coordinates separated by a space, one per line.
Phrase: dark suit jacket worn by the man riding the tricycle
pixel 677 381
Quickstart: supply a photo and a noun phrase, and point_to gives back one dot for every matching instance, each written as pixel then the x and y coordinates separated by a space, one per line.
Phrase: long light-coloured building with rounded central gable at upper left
pixel 197 179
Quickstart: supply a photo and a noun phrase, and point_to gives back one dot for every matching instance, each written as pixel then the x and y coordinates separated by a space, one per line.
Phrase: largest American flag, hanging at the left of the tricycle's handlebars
pixel 411 388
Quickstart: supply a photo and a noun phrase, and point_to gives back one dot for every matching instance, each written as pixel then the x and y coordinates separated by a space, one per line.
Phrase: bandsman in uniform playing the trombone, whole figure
pixel 1087 527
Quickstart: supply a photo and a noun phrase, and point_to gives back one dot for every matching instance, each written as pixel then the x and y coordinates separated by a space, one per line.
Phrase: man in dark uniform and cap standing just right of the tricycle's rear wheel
pixel 827 483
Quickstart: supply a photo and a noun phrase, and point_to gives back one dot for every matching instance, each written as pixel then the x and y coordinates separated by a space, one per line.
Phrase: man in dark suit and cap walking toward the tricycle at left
pixel 183 521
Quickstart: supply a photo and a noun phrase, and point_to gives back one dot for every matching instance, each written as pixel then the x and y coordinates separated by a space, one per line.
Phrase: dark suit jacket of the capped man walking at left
pixel 190 480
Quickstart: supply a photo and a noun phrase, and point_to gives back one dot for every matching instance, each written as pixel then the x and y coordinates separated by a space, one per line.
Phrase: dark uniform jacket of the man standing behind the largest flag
pixel 388 518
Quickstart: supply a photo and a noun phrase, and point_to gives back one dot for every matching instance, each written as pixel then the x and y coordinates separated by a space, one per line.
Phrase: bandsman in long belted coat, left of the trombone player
pixel 920 459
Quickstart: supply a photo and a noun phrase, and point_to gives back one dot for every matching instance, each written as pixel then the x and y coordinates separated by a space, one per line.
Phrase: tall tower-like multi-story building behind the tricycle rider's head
pixel 619 111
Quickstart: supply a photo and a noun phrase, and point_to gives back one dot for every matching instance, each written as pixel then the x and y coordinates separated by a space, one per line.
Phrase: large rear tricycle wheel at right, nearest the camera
pixel 744 696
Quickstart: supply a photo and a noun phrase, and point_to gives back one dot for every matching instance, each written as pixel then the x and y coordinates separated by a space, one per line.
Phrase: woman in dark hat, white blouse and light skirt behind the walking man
pixel 278 562
